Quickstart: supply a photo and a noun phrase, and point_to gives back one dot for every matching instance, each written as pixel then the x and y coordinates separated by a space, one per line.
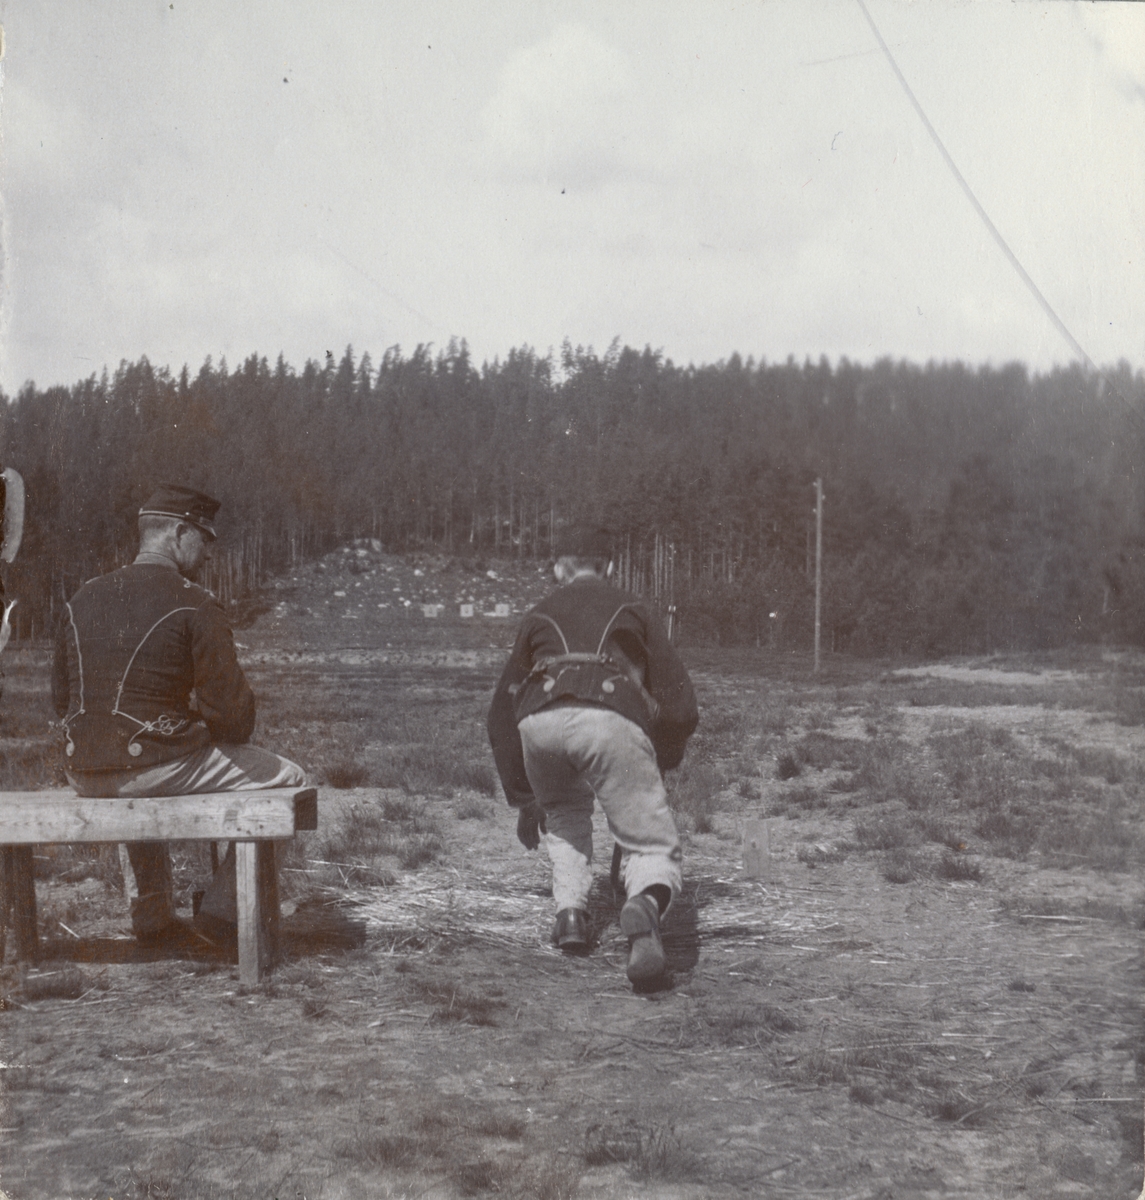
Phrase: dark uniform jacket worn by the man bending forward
pixel 591 644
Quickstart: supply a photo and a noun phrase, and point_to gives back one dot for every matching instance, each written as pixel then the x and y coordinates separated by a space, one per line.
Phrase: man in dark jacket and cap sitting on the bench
pixel 154 701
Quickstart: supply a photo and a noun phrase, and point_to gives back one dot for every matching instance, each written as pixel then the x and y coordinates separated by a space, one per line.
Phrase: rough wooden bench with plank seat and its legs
pixel 254 821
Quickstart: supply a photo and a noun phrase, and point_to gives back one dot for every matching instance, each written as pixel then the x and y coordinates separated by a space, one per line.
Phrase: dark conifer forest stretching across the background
pixel 968 511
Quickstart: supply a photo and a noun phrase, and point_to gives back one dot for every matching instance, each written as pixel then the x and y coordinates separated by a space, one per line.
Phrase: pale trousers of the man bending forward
pixel 578 754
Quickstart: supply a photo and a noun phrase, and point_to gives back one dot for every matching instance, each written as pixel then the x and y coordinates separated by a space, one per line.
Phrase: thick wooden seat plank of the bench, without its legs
pixel 63 817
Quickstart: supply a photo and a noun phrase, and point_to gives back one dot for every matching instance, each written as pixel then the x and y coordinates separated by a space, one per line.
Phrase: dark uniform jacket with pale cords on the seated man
pixel 133 649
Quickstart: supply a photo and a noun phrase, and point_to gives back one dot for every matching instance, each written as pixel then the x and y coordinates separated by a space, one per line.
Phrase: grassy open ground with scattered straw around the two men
pixel 936 993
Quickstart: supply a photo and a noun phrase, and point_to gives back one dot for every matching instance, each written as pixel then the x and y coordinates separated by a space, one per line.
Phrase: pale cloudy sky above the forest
pixel 197 178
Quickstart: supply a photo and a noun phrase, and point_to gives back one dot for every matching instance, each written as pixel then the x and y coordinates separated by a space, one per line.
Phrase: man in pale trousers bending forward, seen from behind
pixel 595 704
